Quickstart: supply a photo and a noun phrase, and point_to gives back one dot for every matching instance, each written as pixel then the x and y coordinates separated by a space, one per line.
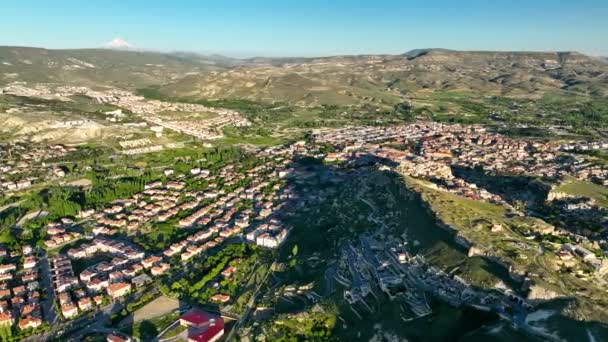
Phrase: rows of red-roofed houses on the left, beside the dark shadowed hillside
pixel 215 212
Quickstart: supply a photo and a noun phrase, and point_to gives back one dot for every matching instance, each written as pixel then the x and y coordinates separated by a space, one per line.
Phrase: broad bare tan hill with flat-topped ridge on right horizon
pixel 385 78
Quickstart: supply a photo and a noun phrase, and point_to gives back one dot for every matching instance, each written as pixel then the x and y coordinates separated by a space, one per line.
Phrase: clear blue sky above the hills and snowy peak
pixel 309 27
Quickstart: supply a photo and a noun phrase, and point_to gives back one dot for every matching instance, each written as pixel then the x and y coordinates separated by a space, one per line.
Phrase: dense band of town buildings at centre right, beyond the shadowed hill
pixel 472 146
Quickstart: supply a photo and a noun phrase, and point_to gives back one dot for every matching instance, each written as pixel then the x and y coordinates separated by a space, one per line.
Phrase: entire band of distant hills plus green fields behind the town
pixel 505 88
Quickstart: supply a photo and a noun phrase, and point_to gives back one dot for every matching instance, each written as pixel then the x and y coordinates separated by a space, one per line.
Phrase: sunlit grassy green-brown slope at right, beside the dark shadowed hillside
pixel 461 214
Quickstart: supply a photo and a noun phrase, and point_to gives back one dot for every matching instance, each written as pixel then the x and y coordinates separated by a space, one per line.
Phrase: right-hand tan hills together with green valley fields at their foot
pixel 505 88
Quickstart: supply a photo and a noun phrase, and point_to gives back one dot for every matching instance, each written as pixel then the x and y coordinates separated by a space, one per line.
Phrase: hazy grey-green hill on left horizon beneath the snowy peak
pixel 91 67
